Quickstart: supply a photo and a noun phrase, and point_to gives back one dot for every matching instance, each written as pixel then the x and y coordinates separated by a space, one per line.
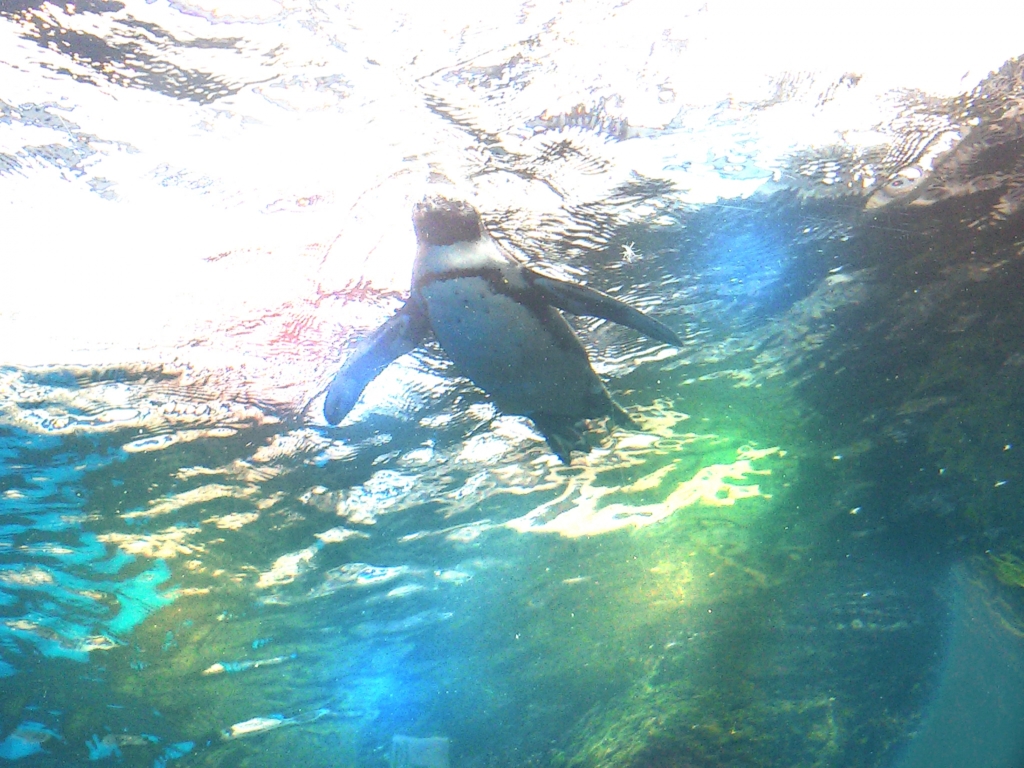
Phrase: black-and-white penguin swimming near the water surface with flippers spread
pixel 499 324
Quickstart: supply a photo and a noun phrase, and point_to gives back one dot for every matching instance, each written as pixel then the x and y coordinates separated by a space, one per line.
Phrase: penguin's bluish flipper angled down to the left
pixel 402 334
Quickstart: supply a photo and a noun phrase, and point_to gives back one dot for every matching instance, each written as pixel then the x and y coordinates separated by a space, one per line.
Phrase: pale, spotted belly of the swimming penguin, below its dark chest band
pixel 528 360
